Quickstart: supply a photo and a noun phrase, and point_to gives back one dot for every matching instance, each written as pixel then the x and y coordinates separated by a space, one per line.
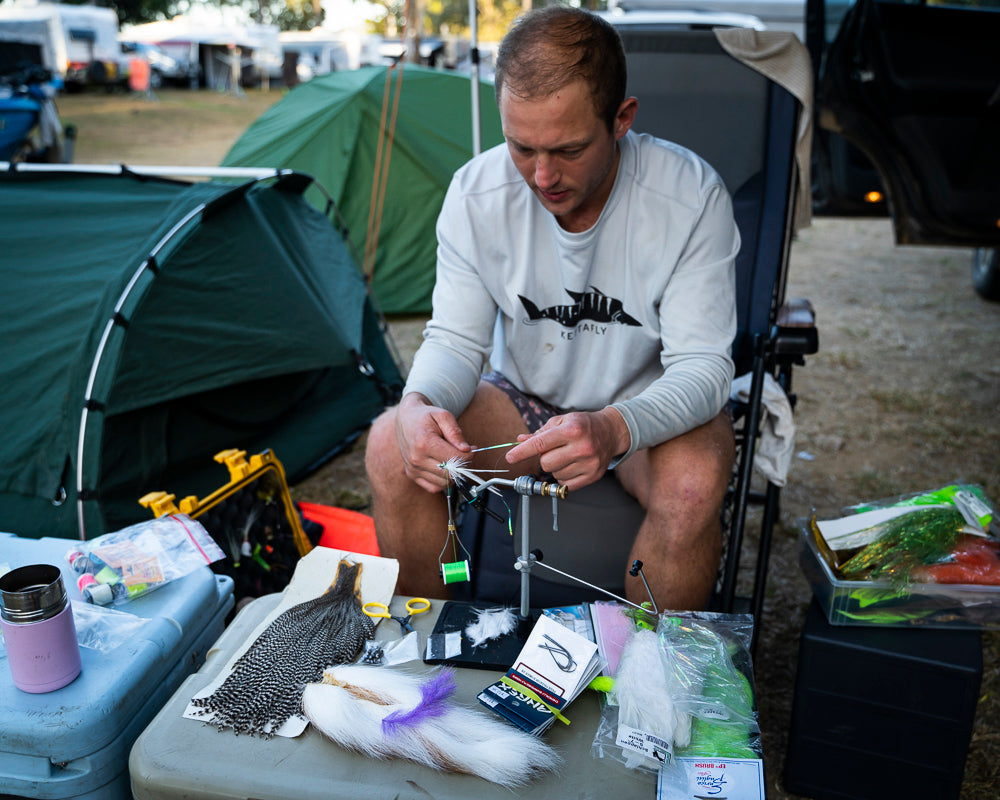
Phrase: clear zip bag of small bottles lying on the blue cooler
pixel 117 567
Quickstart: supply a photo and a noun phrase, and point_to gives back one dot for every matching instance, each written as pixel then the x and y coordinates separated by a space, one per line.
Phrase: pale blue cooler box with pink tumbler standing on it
pixel 74 742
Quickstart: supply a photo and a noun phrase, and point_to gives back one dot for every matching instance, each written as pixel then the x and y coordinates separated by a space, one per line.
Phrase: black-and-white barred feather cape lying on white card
pixel 264 689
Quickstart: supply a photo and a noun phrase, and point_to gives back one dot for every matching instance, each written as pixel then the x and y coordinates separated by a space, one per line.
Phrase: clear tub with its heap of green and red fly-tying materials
pixel 929 559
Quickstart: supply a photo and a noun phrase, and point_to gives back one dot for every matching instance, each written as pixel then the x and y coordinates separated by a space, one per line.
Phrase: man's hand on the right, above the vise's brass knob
pixel 575 448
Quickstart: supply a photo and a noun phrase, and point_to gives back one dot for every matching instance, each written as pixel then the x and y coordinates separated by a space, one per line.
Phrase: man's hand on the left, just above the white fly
pixel 427 435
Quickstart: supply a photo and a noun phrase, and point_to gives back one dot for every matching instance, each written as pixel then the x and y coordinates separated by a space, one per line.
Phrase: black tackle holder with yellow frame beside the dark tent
pixel 253 520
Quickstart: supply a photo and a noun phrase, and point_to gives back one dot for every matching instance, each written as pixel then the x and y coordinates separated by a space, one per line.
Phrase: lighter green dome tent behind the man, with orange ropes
pixel 330 128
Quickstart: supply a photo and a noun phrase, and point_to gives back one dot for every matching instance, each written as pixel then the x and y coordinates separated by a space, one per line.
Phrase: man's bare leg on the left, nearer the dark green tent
pixel 412 524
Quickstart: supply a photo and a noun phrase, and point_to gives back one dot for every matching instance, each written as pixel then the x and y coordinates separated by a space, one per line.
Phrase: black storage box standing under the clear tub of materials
pixel 881 713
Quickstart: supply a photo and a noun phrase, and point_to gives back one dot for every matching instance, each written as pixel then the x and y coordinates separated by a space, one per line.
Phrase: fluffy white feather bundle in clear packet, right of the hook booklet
pixel 644 689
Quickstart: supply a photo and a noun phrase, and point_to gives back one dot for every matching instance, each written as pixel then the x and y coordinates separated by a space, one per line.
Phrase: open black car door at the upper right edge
pixel 914 87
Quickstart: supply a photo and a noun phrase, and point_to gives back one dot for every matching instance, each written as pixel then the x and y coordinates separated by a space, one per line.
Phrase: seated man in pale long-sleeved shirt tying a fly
pixel 594 267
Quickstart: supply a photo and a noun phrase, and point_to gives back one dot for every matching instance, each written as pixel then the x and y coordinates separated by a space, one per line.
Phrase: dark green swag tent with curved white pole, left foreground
pixel 149 324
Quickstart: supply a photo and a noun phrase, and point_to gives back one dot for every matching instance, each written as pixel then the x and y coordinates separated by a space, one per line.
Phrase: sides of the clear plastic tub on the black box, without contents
pixel 928 605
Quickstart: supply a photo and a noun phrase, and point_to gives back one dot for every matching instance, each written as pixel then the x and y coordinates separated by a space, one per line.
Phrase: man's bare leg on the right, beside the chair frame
pixel 681 484
